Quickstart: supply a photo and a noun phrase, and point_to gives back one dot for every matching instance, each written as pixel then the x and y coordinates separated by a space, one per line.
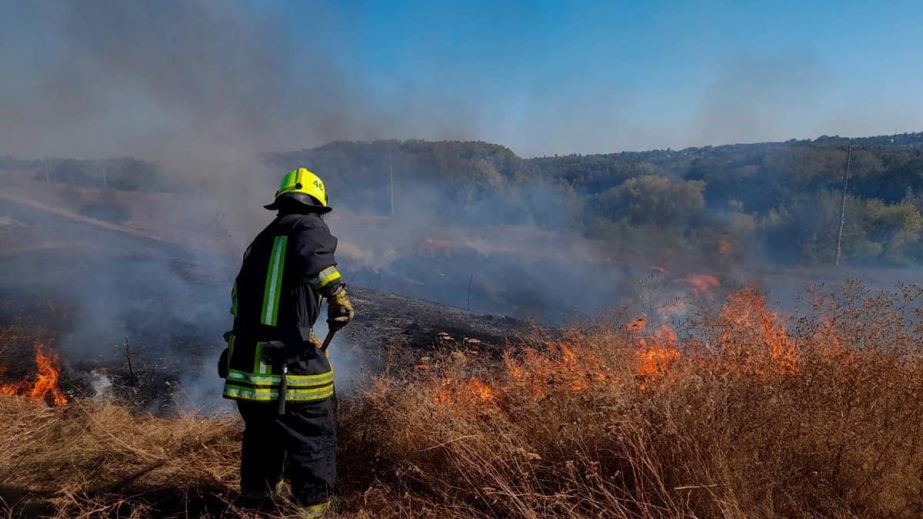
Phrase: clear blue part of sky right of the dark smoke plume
pixel 557 77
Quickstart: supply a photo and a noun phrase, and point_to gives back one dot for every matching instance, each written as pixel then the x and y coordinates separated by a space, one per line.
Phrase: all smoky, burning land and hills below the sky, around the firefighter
pixel 686 395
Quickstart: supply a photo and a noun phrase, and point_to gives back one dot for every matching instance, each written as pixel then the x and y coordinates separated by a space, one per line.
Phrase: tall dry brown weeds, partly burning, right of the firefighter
pixel 749 415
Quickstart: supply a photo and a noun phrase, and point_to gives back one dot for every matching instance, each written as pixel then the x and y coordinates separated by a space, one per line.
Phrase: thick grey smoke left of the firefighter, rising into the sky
pixel 200 89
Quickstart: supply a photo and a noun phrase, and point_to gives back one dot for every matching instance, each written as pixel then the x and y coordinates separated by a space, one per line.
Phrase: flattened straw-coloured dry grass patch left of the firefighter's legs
pixel 102 460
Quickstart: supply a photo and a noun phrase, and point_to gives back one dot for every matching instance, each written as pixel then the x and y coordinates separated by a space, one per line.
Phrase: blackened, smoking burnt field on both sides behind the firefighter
pixel 142 317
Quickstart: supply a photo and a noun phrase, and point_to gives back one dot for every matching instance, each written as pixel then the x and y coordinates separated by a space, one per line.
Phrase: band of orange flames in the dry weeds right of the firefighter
pixel 750 341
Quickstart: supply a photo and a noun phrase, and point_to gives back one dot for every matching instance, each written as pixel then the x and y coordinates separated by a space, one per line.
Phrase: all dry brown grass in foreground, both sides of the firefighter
pixel 740 416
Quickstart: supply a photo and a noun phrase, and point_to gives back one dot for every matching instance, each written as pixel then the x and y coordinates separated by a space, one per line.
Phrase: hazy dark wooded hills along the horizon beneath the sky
pixel 781 199
